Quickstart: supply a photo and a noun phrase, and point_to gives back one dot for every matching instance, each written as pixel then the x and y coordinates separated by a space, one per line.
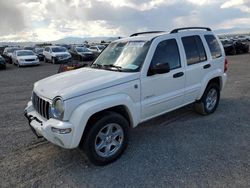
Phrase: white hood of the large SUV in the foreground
pixel 81 81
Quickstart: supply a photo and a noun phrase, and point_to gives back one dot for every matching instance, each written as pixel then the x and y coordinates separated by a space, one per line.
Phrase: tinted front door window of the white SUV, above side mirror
pixel 167 52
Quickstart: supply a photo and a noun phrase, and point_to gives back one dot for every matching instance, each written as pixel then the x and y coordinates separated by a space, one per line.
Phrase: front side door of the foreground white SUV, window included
pixel 162 92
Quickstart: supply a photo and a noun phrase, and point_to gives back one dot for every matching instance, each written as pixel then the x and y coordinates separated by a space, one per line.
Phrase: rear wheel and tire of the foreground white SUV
pixel 209 100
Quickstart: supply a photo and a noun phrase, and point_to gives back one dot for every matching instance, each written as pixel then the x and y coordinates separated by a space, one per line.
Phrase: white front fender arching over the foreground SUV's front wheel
pixel 82 113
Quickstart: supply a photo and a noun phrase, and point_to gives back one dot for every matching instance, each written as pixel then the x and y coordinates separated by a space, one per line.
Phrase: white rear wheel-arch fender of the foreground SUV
pixel 207 78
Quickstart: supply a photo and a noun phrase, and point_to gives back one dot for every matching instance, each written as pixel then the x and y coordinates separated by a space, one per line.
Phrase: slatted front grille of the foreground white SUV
pixel 40 105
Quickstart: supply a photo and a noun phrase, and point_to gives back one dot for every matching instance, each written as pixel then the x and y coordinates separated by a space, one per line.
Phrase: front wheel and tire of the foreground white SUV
pixel 99 144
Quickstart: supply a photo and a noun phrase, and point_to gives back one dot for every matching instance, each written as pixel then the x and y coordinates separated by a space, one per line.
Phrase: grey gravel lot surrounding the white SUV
pixel 179 149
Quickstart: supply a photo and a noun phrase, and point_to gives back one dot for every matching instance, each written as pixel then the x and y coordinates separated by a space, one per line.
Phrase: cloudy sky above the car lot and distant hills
pixel 49 20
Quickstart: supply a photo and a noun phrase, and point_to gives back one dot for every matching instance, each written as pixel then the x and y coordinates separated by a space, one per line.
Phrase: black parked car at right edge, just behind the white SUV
pixel 235 47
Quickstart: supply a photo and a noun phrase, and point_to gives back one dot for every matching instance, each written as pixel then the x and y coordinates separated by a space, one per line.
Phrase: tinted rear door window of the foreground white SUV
pixel 194 49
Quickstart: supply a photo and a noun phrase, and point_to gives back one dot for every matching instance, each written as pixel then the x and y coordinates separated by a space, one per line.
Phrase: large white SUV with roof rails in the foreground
pixel 133 80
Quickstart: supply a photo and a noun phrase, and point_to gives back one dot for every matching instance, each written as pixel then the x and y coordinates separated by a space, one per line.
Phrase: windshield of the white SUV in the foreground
pixel 127 56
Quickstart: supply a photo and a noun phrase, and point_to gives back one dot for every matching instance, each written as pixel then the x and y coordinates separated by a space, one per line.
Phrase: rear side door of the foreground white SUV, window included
pixel 197 65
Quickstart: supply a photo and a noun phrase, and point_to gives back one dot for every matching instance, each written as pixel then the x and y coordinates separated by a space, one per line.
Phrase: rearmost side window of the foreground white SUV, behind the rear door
pixel 213 46
